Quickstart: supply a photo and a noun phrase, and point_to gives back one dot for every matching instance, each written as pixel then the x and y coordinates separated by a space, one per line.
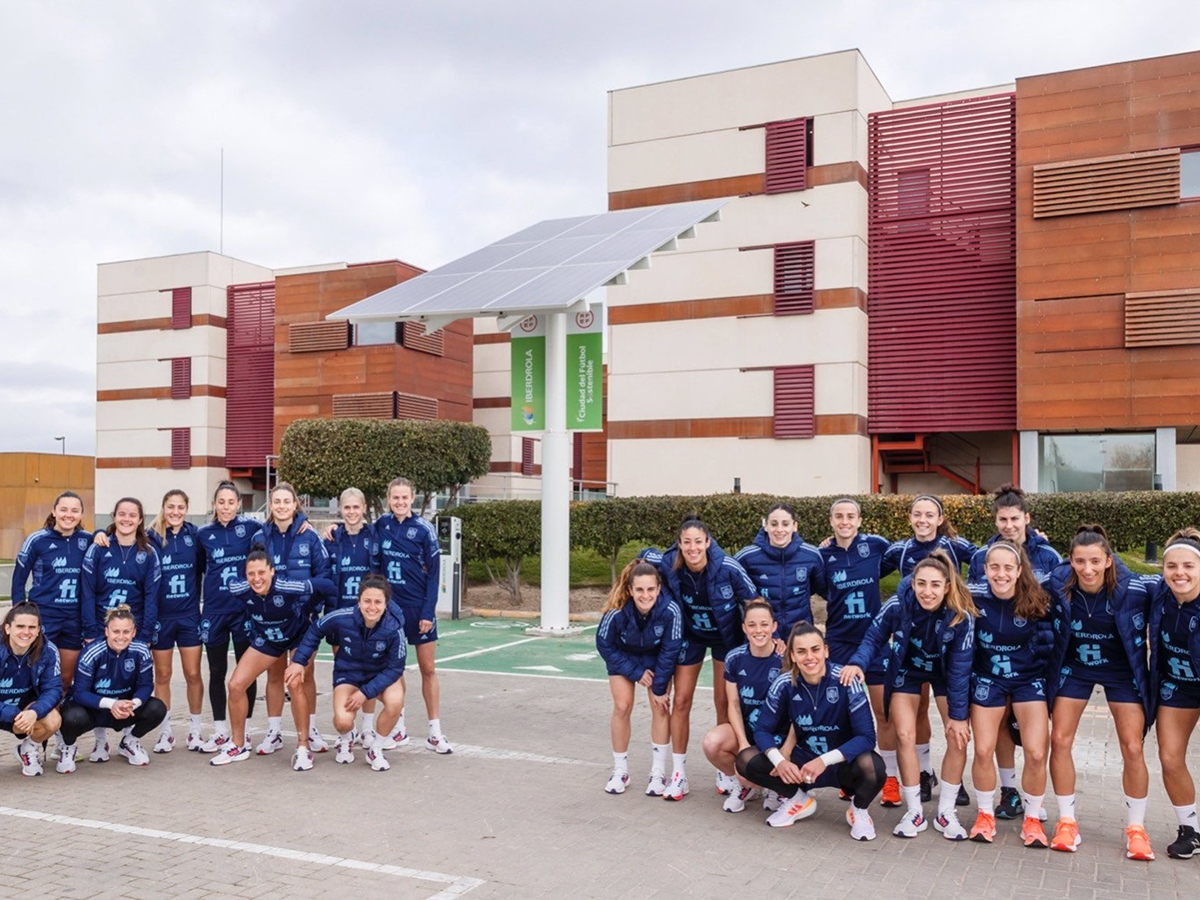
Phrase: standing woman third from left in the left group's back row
pixel 179 614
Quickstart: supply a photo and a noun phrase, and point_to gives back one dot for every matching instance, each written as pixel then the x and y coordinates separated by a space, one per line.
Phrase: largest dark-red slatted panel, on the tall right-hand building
pixel 943 267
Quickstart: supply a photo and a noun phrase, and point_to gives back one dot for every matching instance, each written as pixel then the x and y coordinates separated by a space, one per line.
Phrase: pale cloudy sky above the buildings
pixel 361 130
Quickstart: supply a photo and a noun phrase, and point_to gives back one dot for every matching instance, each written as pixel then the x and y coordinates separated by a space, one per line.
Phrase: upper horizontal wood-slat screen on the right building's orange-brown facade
pixel 1107 183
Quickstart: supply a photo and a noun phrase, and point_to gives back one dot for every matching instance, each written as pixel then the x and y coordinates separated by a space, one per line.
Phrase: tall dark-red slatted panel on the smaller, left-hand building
pixel 250 393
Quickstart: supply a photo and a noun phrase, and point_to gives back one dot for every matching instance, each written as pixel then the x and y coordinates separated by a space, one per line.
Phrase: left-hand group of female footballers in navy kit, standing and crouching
pixel 97 619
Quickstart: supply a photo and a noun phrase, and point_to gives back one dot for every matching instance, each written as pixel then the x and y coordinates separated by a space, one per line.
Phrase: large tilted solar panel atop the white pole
pixel 548 266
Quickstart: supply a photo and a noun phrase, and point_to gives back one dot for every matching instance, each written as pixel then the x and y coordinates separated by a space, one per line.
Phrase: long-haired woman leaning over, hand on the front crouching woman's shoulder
pixel 928 632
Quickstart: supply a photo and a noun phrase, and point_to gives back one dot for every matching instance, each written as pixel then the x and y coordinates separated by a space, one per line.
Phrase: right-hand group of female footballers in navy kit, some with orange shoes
pixel 1011 656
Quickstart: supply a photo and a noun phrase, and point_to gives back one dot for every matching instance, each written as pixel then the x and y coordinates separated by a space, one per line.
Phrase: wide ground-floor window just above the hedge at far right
pixel 1096 463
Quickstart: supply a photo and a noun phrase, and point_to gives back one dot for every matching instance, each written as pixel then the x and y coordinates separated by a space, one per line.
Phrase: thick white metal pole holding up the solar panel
pixel 556 487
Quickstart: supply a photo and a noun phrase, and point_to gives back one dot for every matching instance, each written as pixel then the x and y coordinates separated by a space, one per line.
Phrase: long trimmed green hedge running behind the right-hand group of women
pixel 505 531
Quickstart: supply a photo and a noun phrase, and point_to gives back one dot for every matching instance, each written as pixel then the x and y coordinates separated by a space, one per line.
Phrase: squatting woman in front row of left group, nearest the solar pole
pixel 369 664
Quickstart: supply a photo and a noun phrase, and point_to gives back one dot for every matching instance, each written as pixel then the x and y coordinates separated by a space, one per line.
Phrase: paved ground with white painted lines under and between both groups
pixel 520 812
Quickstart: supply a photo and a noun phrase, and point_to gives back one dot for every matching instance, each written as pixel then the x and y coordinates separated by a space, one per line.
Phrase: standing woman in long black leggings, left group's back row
pixel 225 543
